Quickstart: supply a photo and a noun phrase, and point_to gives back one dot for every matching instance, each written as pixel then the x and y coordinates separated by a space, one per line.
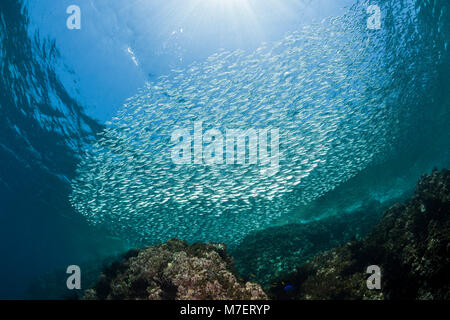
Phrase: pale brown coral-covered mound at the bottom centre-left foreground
pixel 175 270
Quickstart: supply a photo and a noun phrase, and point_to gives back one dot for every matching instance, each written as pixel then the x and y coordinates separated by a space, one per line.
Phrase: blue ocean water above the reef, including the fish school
pixel 88 118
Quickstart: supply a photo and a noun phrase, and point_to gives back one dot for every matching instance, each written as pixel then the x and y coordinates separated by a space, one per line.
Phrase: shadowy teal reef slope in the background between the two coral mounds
pixel 259 258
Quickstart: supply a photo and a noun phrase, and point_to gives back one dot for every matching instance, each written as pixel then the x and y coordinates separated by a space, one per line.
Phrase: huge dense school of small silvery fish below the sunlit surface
pixel 331 88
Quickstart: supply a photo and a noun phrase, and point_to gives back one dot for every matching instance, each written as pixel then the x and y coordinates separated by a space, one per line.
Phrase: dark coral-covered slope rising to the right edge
pixel 411 244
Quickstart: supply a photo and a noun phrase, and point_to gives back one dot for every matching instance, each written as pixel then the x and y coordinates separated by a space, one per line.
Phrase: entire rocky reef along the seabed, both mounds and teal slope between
pixel 410 244
